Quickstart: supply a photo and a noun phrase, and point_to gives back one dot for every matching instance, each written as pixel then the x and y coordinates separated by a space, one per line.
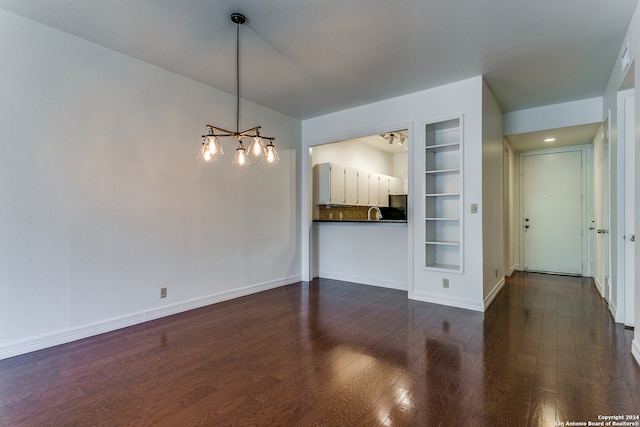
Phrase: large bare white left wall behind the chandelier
pixel 104 201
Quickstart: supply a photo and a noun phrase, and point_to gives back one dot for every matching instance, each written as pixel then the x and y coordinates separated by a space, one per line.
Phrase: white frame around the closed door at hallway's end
pixel 583 149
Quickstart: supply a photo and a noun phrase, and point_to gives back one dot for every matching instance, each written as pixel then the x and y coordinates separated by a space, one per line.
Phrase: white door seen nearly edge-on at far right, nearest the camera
pixel 629 209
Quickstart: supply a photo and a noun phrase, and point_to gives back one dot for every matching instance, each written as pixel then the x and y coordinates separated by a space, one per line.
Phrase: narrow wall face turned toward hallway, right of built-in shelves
pixel 492 196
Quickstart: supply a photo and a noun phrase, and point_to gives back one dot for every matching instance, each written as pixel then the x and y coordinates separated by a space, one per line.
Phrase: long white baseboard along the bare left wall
pixel 28 345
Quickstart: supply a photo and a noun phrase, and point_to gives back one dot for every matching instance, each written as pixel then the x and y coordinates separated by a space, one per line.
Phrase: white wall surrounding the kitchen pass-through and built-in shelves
pixel 413 112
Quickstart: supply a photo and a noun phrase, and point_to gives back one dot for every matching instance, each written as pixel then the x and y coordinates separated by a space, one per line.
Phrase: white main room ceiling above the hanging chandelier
pixel 307 58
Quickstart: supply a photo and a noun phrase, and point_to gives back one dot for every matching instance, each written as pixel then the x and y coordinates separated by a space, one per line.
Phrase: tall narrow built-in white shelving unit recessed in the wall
pixel 443 195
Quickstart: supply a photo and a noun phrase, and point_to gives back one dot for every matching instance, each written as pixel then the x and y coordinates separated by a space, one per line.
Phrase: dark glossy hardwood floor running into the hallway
pixel 340 354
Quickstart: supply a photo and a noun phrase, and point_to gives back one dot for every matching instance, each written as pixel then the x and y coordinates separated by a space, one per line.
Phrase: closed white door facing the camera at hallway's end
pixel 553 212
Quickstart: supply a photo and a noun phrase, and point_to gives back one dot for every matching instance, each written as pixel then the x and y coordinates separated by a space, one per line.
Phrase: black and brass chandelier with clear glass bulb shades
pixel 259 147
